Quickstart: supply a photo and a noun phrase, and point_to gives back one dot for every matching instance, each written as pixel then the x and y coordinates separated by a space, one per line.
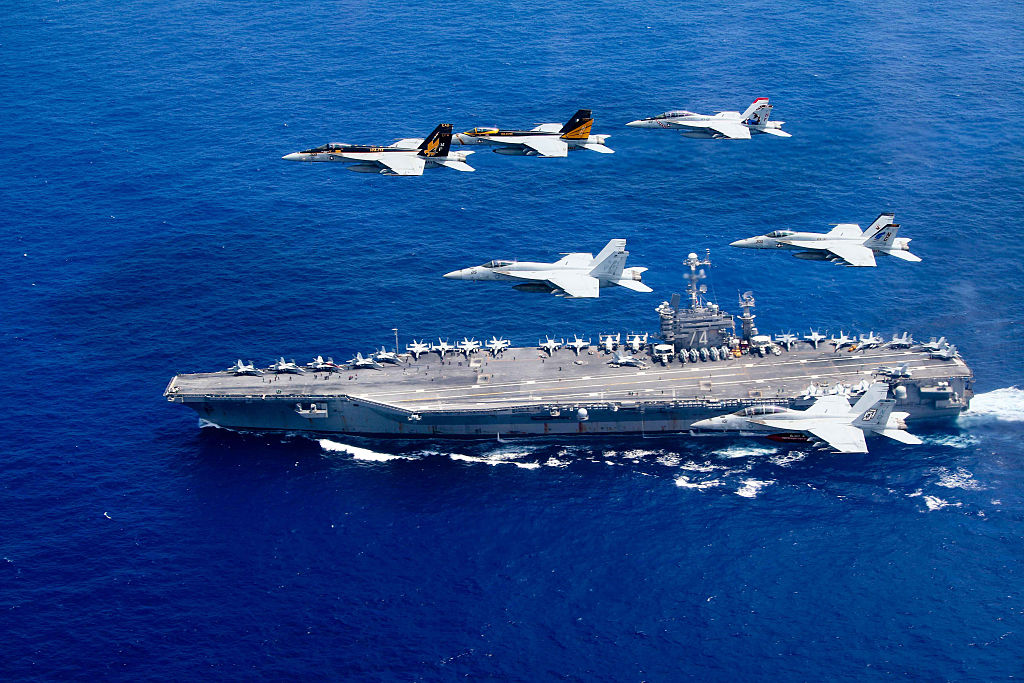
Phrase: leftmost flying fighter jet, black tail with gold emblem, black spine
pixel 407 157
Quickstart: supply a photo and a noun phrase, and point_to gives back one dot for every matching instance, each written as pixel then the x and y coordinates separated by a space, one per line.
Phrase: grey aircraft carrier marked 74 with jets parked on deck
pixel 700 367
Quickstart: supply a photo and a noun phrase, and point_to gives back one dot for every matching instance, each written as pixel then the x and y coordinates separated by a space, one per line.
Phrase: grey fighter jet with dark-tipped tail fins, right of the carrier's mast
pixel 845 244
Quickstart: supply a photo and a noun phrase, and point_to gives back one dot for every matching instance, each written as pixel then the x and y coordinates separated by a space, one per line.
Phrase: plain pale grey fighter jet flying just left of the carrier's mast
pixel 576 276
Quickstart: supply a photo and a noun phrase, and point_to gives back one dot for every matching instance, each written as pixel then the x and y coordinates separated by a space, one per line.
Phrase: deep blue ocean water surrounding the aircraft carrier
pixel 150 228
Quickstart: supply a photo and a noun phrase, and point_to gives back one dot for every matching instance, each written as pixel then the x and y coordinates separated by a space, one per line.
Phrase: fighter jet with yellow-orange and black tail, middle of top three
pixel 547 140
